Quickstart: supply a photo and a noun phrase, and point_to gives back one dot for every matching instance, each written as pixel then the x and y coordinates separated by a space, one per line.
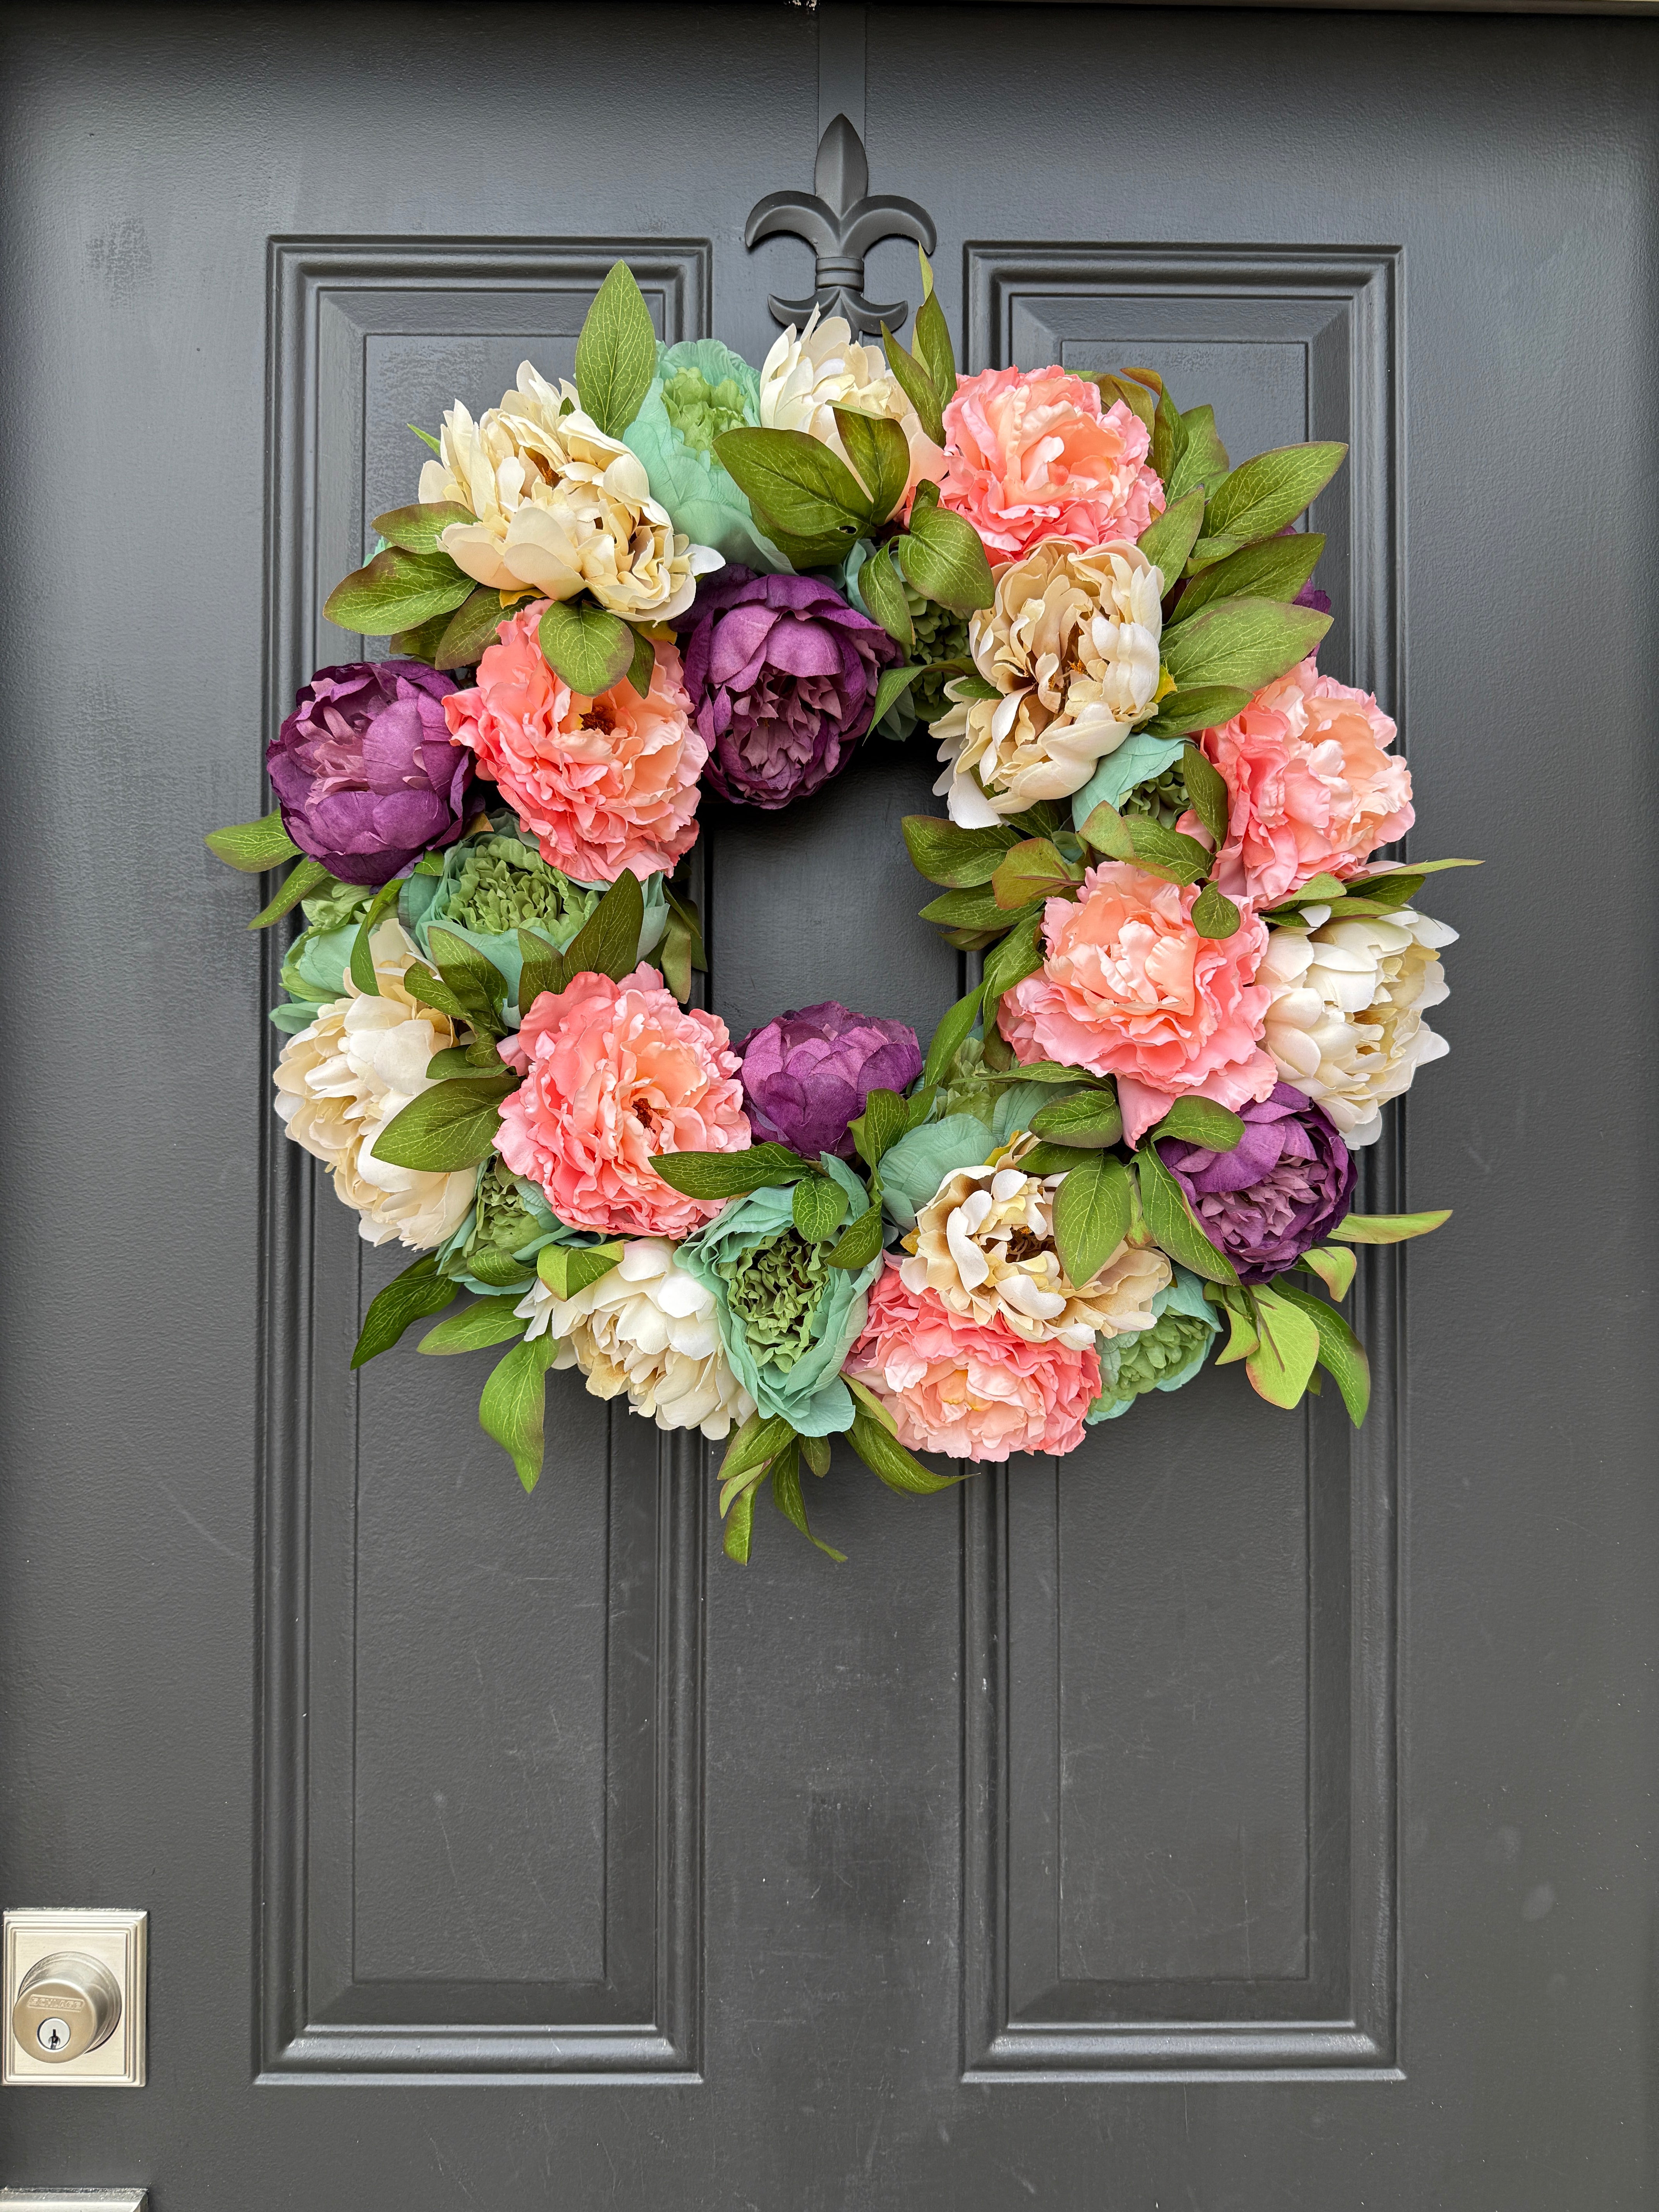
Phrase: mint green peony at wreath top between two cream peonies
pixel 702 388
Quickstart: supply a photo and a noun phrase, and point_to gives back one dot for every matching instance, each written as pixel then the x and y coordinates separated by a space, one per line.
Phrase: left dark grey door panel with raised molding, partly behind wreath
pixel 481 1718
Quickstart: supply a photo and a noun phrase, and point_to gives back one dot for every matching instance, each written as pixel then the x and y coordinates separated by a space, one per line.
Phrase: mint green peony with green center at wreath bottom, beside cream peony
pixel 786 1317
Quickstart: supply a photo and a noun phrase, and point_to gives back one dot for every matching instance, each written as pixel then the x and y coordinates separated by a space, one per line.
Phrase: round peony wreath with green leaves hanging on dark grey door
pixel 1198 990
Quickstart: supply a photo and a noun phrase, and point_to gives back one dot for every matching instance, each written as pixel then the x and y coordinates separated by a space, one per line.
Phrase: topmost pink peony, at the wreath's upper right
pixel 1034 455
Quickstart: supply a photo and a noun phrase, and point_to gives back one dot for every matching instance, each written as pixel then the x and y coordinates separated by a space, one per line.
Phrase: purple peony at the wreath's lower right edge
pixel 1280 1193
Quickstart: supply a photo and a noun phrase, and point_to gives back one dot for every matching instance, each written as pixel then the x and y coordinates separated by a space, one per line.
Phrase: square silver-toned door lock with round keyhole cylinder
pixel 74 2001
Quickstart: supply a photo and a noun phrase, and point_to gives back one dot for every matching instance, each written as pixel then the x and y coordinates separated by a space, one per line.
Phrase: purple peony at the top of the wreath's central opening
pixel 784 680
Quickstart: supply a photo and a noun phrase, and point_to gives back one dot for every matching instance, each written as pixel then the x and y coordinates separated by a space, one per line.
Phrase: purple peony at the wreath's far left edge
pixel 366 773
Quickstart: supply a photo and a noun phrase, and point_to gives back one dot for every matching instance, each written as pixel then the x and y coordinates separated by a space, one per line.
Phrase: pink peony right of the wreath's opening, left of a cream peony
pixel 1131 990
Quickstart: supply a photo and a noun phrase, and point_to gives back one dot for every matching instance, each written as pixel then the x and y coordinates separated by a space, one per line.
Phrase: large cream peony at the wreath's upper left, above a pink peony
pixel 561 508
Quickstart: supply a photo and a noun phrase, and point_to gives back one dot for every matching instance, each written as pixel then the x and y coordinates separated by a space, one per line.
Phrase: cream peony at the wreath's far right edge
pixel 1346 1014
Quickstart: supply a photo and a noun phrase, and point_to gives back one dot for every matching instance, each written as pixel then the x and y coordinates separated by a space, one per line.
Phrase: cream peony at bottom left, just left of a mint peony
pixel 647 1328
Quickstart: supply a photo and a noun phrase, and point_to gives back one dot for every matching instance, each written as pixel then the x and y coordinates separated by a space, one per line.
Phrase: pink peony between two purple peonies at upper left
pixel 603 784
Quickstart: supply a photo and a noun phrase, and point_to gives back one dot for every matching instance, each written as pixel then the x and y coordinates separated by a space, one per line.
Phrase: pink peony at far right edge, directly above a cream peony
pixel 1311 786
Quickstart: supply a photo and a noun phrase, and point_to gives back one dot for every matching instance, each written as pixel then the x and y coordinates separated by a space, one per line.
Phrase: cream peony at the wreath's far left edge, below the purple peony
pixel 344 1078
